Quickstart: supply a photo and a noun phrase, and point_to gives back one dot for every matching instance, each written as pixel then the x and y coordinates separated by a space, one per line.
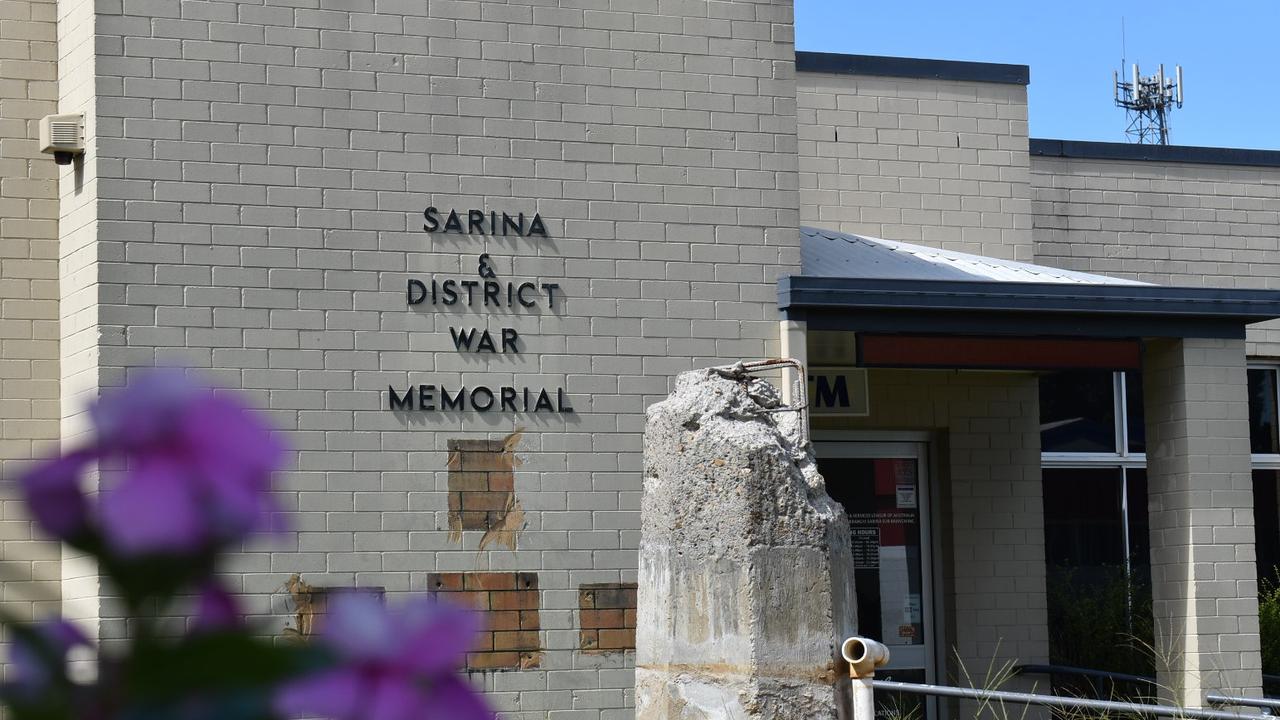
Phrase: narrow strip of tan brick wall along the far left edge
pixel 29 295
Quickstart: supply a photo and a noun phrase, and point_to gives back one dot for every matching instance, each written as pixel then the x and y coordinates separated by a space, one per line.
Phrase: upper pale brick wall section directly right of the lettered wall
pixel 939 163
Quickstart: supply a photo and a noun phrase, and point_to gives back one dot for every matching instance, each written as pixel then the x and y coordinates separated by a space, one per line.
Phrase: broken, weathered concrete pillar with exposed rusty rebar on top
pixel 746 585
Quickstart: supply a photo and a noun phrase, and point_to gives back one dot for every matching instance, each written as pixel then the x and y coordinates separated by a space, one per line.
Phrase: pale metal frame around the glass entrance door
pixel 921 448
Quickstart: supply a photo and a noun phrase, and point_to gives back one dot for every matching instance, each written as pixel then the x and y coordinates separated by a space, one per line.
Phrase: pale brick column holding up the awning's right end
pixel 1201 503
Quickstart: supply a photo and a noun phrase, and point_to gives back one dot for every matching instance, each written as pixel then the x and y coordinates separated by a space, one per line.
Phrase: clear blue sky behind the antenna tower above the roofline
pixel 1229 52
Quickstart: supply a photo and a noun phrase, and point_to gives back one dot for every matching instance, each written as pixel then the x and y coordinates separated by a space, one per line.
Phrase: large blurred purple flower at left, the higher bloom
pixel 198 471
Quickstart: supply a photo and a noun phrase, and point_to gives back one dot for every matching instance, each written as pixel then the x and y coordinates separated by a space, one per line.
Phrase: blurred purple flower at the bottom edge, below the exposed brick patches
pixel 397 664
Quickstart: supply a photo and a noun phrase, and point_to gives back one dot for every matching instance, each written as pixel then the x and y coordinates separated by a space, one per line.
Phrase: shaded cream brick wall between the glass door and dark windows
pixel 986 429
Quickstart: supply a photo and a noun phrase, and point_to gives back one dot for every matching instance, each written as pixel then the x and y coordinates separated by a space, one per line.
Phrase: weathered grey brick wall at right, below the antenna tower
pixel 1171 224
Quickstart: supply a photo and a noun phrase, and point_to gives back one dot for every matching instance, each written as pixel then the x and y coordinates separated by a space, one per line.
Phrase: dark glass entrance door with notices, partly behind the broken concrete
pixel 885 491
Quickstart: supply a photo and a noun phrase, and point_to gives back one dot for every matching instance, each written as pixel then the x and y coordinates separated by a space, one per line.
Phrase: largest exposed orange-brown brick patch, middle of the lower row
pixel 510 603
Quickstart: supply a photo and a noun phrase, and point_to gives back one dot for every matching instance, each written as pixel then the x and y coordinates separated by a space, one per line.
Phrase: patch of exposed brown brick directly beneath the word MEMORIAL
pixel 482 484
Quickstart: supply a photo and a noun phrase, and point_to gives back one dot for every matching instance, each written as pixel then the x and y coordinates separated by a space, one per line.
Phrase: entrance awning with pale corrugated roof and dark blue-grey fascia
pixel 876 286
